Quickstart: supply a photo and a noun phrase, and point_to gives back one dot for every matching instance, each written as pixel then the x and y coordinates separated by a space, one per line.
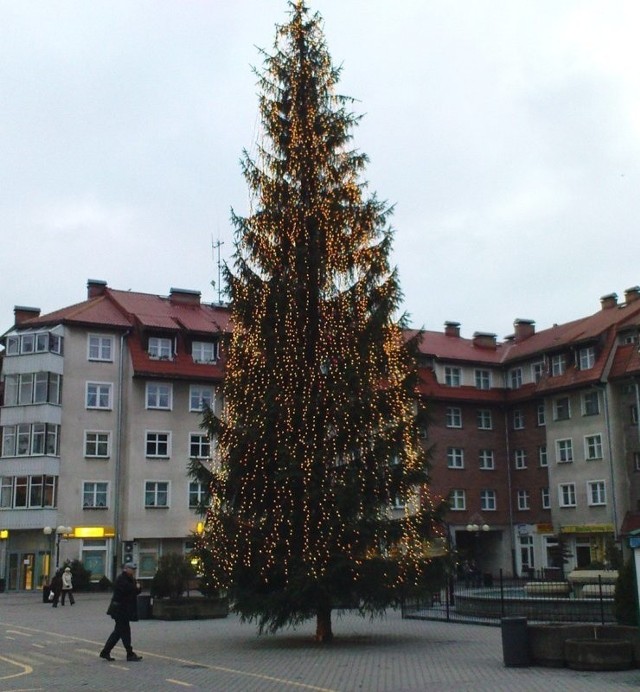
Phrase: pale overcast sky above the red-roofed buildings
pixel 506 133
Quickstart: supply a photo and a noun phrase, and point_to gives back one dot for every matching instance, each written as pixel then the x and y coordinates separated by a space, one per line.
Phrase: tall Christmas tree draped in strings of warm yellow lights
pixel 318 443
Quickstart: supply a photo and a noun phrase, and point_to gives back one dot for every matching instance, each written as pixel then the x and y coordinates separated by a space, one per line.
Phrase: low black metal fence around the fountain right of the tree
pixel 485 599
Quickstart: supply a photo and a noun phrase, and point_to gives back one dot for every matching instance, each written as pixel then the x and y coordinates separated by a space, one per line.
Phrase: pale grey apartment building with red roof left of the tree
pixel 101 414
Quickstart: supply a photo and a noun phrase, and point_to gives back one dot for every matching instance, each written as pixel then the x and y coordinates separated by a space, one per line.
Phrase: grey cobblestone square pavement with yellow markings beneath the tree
pixel 42 648
